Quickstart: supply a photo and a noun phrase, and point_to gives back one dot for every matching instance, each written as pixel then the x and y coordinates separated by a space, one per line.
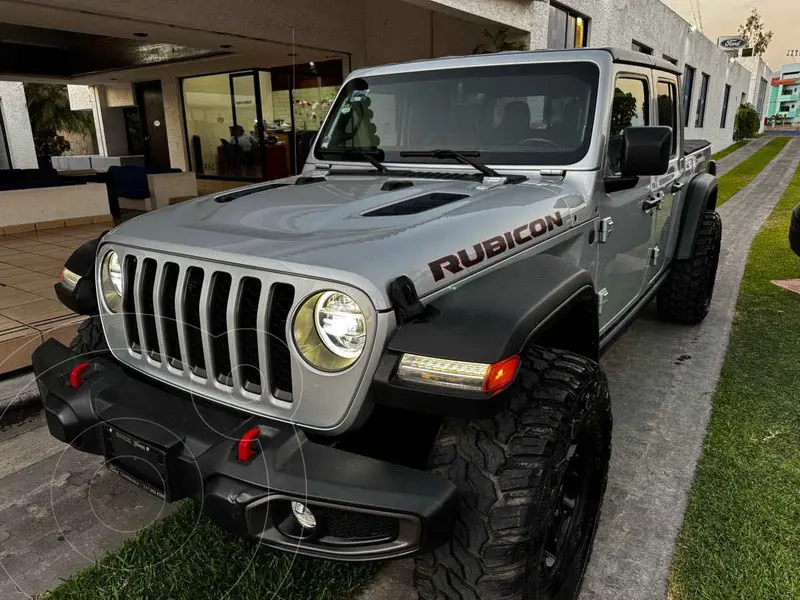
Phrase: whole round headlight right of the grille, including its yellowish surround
pixel 330 330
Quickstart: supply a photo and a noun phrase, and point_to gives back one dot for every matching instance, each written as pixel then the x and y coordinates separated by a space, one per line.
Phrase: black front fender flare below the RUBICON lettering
pixel 543 299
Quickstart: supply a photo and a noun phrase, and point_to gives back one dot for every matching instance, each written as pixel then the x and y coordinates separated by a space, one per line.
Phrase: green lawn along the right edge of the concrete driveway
pixel 741 533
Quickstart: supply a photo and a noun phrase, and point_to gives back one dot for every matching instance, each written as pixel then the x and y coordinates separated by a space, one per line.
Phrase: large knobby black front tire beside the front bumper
pixel 509 470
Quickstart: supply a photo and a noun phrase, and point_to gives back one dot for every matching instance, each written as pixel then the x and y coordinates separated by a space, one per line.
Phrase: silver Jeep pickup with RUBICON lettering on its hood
pixel 396 352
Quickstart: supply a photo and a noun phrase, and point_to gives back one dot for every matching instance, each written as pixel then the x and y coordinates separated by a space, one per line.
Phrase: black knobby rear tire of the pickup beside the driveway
pixel 685 297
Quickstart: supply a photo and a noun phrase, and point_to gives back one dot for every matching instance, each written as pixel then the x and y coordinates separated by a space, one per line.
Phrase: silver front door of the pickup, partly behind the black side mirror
pixel 625 228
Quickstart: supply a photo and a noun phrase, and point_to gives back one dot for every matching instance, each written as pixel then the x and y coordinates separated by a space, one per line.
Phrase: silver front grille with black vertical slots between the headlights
pixel 226 326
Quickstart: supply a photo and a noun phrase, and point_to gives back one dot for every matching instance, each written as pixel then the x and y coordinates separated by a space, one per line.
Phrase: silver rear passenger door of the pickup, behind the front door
pixel 665 226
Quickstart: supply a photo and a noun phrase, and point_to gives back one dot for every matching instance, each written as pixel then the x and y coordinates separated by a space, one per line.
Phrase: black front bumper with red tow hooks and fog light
pixel 178 447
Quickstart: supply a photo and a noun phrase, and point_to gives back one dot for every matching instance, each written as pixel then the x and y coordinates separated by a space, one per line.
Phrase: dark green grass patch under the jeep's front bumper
pixel 186 557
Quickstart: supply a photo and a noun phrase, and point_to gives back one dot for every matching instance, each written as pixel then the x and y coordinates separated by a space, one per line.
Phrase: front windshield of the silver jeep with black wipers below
pixel 531 114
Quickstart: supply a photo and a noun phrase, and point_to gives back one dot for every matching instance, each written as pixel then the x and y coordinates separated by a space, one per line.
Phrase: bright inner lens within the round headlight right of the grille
pixel 340 324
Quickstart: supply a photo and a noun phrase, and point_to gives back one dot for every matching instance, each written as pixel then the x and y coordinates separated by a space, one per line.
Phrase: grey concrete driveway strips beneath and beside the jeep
pixel 60 509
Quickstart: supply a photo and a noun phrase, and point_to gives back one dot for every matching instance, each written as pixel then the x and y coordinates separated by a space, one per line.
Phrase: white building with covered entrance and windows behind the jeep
pixel 237 89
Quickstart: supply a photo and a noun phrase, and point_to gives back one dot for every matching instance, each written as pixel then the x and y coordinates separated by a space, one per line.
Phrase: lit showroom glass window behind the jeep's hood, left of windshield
pixel 257 124
